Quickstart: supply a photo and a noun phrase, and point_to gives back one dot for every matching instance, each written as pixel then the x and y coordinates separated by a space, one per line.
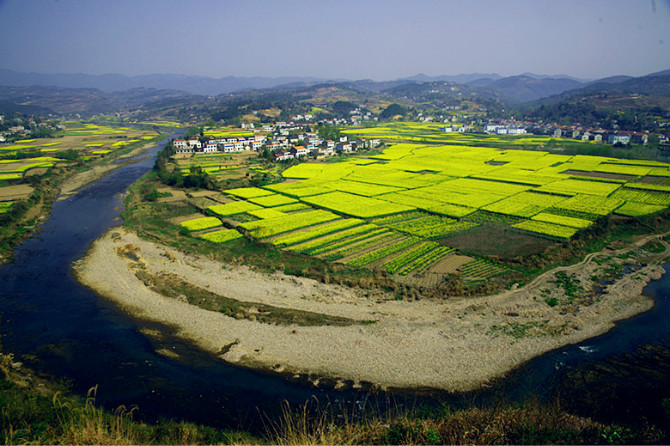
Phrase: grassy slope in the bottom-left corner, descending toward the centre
pixel 34 411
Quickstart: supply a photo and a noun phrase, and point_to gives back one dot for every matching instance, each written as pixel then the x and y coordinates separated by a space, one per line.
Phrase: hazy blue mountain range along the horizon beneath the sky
pixel 93 94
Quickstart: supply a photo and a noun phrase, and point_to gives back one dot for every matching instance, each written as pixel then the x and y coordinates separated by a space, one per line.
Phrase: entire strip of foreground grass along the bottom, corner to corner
pixel 34 411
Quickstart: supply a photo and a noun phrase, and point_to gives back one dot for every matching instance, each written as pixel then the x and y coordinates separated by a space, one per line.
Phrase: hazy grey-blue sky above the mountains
pixel 359 39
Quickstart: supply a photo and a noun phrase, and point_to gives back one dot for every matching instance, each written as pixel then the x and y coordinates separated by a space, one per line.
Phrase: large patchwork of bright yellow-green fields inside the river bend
pixel 397 211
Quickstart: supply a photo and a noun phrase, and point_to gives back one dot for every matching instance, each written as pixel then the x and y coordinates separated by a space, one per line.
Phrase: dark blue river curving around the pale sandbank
pixel 57 327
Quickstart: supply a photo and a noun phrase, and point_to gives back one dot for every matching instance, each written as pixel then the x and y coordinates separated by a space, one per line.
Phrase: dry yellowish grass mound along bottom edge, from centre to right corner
pixel 531 423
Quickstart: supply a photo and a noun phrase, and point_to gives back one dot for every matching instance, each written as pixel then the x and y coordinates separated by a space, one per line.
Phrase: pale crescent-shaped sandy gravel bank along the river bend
pixel 454 344
